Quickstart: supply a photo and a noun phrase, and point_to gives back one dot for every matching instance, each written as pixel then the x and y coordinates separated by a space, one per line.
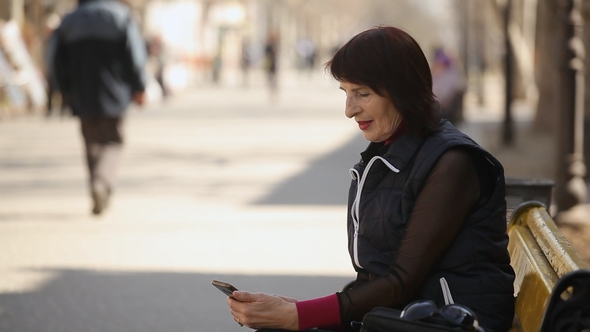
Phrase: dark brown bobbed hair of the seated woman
pixel 391 63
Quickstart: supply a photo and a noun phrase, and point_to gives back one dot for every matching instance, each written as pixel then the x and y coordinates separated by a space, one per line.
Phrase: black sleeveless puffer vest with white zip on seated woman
pixel 476 265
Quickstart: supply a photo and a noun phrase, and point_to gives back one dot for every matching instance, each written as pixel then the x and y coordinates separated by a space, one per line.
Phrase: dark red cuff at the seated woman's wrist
pixel 320 312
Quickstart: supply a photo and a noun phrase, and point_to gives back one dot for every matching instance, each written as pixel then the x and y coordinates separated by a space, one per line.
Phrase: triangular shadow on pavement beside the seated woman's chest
pixel 324 182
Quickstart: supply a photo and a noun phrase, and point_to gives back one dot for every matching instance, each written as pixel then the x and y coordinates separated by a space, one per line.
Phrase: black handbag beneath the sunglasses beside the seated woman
pixel 383 319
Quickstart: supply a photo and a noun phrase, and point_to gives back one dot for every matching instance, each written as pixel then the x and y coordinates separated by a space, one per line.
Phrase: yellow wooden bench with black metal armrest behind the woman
pixel 548 270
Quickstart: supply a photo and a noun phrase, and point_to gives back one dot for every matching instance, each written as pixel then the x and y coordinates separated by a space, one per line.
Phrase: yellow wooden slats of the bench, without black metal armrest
pixel 540 256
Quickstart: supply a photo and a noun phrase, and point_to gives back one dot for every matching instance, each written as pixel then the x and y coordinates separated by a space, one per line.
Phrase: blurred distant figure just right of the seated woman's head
pixel 448 85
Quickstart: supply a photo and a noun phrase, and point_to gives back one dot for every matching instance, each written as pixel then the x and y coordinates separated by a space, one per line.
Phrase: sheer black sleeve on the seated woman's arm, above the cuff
pixel 450 192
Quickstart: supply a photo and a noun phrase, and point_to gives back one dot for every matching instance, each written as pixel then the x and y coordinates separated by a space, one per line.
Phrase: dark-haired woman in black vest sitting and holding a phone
pixel 426 202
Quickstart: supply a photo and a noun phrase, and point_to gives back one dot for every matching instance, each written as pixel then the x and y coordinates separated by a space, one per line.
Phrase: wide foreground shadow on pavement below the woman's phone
pixel 106 301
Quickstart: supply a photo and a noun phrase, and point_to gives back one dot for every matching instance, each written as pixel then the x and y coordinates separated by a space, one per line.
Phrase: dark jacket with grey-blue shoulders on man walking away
pixel 99 58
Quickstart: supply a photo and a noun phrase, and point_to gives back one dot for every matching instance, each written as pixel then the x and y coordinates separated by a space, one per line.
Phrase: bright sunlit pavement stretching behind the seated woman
pixel 193 171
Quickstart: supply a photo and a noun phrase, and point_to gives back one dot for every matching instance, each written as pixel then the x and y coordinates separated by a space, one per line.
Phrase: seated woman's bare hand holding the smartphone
pixel 259 310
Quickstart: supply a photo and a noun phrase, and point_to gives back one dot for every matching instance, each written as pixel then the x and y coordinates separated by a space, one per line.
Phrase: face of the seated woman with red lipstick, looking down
pixel 376 116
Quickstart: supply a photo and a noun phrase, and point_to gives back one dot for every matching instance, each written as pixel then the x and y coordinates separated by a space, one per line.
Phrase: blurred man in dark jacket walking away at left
pixel 99 65
